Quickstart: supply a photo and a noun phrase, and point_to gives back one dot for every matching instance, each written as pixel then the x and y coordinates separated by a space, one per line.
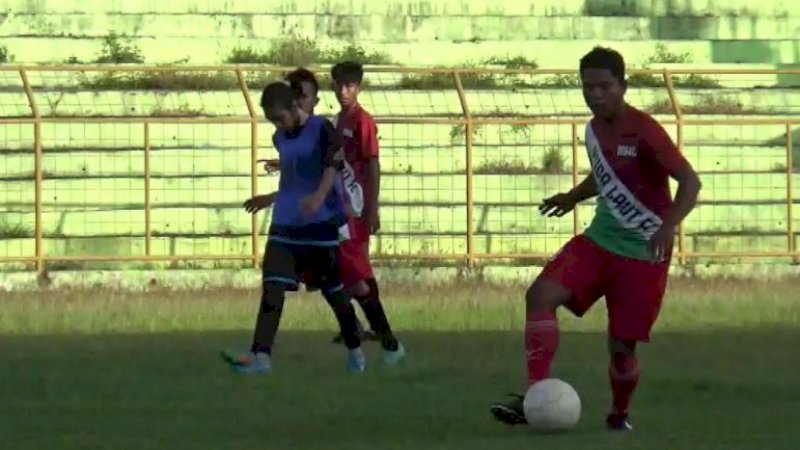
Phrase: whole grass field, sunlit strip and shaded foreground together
pixel 109 370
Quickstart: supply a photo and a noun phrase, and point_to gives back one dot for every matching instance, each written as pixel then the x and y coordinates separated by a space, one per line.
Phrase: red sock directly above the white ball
pixel 541 343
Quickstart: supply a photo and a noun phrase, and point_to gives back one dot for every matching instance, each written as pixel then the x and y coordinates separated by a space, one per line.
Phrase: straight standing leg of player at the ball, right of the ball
pixel 634 301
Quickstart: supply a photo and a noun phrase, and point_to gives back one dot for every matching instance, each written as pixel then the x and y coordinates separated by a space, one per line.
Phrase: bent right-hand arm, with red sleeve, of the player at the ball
pixel 666 153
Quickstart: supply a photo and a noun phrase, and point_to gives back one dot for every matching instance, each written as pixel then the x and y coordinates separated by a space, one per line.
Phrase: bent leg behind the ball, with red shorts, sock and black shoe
pixel 572 279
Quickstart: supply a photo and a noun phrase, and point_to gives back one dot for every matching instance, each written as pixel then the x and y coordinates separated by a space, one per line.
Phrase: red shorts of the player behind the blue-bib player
pixel 352 257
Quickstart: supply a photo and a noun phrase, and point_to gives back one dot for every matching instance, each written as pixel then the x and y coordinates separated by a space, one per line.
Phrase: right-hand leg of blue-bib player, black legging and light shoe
pixel 323 261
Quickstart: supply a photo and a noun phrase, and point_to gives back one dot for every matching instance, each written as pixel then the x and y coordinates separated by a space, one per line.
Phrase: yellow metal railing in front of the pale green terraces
pixel 467 120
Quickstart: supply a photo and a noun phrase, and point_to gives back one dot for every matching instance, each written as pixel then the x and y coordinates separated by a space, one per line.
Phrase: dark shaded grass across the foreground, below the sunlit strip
pixel 726 389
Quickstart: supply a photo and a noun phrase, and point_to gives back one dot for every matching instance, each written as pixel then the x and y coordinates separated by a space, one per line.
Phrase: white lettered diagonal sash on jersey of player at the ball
pixel 625 207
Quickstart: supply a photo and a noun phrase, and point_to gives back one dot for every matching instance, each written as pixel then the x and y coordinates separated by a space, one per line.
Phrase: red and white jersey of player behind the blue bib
pixel 359 135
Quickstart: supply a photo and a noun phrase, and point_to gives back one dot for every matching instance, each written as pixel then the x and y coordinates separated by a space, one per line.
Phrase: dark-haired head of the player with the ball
pixel 603 79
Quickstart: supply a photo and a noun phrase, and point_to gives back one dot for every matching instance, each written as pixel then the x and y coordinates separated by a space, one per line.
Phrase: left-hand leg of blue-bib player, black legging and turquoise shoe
pixel 278 274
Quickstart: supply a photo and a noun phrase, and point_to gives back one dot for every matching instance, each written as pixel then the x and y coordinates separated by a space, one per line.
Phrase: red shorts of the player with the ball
pixel 633 288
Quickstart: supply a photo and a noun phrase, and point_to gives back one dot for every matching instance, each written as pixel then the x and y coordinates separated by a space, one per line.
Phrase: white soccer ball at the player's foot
pixel 552 405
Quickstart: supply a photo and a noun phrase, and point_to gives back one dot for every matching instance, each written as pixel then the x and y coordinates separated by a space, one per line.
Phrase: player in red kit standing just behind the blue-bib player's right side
pixel 361 183
